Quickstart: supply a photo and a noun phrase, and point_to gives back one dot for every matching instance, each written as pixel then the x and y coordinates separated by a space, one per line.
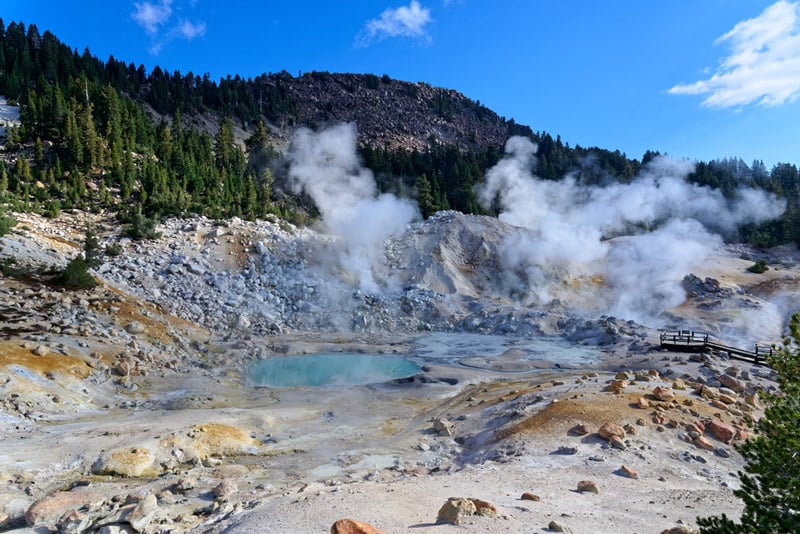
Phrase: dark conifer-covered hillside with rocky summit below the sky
pixel 109 135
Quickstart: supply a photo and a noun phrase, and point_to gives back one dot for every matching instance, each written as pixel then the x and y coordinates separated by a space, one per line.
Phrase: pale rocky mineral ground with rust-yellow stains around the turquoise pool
pixel 140 386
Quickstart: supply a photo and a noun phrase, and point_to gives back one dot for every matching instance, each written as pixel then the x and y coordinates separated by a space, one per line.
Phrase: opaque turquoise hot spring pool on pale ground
pixel 335 369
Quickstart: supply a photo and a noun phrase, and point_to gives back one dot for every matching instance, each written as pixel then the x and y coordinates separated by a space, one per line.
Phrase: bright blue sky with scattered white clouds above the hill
pixel 698 79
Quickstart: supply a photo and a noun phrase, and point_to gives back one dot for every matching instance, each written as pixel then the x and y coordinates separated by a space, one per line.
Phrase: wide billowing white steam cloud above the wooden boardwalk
pixel 662 225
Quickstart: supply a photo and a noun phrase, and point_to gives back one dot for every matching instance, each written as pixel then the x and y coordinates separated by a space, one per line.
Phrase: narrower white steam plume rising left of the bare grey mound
pixel 326 166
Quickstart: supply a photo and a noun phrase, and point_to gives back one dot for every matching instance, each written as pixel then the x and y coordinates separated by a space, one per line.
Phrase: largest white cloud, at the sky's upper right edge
pixel 764 64
